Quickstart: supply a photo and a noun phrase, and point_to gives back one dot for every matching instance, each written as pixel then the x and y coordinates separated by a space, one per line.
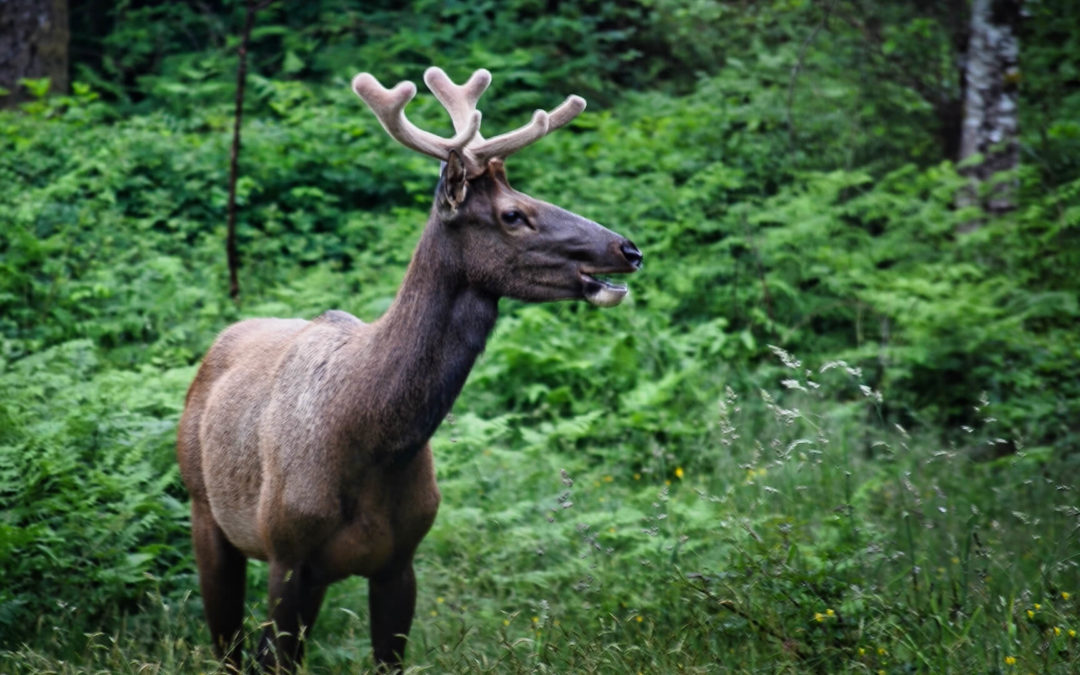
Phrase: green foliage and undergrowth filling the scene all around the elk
pixel 789 168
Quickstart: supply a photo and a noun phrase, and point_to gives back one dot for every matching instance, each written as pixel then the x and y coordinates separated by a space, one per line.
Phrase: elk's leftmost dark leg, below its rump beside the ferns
pixel 222 578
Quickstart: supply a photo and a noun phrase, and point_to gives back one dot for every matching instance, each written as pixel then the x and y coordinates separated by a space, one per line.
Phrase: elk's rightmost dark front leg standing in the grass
pixel 391 601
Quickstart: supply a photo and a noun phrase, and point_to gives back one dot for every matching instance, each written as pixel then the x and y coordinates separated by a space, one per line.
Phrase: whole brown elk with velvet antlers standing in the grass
pixel 305 443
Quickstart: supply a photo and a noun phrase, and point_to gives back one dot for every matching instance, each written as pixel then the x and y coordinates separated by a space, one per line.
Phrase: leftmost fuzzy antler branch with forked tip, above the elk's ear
pixel 389 107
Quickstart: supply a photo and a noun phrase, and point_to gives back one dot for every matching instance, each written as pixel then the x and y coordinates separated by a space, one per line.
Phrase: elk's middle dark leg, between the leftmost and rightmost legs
pixel 295 599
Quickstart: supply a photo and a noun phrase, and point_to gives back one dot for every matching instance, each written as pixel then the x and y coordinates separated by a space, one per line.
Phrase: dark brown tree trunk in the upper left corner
pixel 34 44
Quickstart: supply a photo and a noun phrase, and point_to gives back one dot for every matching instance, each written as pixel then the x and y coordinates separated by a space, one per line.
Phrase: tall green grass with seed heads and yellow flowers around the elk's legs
pixel 804 537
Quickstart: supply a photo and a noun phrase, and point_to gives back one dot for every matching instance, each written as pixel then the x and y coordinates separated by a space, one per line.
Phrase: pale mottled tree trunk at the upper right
pixel 990 136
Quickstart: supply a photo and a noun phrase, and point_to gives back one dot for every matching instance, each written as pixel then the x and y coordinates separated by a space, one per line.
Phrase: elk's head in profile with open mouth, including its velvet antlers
pixel 503 242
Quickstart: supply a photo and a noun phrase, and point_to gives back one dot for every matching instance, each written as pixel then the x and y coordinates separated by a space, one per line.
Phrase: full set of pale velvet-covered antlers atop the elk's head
pixel 461 103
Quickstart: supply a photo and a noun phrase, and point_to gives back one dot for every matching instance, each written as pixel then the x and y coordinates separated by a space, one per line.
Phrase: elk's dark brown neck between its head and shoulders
pixel 428 342
